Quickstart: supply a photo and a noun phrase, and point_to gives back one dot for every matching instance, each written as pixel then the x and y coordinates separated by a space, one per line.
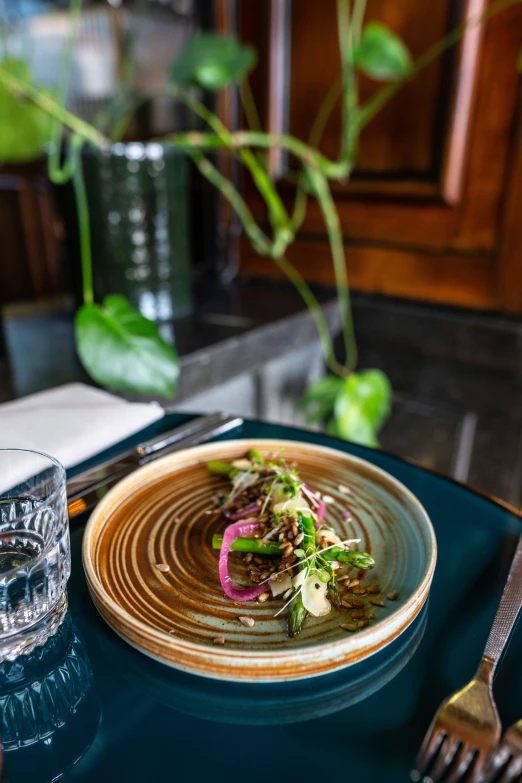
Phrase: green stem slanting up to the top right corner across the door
pixel 384 96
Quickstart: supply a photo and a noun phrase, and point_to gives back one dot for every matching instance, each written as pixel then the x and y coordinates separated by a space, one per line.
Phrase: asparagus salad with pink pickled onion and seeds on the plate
pixel 291 552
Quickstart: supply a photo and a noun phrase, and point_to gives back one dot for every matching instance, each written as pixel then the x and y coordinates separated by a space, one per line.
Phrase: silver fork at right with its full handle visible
pixel 467 726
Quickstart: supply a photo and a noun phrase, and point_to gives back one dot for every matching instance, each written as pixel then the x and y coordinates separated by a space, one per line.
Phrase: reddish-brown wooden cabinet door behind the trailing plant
pixel 433 209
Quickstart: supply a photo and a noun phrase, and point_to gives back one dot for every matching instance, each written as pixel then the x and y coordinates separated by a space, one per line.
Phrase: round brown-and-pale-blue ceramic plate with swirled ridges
pixel 157 515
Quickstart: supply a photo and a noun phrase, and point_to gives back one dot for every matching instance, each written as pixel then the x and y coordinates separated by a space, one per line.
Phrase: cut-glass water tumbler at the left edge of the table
pixel 35 560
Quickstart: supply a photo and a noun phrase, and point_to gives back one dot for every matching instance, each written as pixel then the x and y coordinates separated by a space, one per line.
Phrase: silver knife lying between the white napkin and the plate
pixel 84 490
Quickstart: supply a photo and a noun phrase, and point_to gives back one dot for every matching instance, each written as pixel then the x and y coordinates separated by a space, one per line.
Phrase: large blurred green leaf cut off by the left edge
pixel 24 127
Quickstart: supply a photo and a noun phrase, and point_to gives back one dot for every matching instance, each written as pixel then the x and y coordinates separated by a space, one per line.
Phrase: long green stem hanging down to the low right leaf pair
pixel 333 226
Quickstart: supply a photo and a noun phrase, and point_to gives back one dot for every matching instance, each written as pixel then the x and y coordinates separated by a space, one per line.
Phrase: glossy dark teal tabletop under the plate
pixel 135 720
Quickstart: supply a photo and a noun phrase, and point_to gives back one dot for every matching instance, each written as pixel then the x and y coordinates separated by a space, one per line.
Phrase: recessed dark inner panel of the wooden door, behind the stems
pixel 402 139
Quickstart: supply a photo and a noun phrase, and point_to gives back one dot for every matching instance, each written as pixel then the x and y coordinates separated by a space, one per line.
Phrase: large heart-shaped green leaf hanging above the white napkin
pixel 124 351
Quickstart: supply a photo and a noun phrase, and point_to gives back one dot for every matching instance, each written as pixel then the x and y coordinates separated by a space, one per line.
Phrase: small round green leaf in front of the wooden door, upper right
pixel 381 54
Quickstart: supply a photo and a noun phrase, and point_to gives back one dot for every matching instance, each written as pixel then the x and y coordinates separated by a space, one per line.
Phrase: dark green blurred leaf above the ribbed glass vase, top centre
pixel 212 61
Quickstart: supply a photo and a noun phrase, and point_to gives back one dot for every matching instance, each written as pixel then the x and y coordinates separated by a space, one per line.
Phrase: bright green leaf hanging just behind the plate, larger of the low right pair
pixel 362 406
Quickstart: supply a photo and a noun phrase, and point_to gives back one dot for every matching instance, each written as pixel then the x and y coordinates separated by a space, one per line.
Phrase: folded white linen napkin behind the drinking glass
pixel 72 422
